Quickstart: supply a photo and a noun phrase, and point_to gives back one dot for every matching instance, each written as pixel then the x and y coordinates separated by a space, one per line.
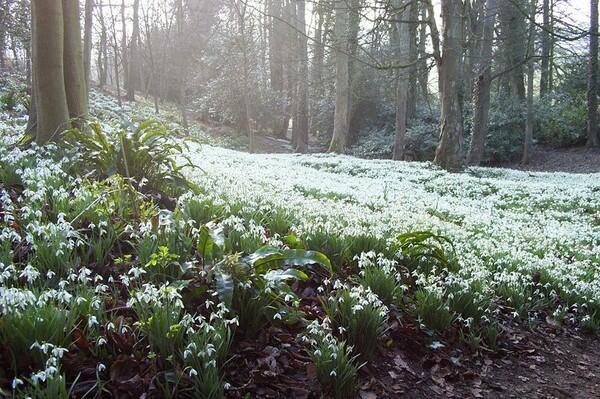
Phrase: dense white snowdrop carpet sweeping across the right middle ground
pixel 506 225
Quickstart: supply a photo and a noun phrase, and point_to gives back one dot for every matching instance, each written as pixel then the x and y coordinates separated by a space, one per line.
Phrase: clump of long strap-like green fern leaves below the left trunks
pixel 144 154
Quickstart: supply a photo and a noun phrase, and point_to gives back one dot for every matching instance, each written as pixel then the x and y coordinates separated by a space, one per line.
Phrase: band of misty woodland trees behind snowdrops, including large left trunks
pixel 322 71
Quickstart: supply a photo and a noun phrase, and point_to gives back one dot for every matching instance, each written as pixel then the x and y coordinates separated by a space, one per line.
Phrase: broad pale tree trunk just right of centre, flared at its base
pixel 342 79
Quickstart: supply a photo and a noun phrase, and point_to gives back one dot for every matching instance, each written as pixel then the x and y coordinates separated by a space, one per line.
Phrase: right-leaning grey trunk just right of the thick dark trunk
pixel 482 87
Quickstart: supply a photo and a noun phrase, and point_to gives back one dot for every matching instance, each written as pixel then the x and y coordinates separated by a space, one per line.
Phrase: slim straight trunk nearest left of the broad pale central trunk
pixel 301 118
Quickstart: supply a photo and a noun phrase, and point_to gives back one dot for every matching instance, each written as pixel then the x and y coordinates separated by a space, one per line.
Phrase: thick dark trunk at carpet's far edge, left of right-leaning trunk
pixel 449 151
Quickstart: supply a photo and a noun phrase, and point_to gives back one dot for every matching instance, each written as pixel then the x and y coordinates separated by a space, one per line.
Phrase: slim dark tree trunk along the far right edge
pixel 592 123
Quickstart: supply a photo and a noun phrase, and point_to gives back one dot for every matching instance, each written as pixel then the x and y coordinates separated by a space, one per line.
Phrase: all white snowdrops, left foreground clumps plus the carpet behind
pixel 528 240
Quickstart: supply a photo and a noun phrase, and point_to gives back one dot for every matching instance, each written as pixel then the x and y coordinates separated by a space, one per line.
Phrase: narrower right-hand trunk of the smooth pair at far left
pixel 74 78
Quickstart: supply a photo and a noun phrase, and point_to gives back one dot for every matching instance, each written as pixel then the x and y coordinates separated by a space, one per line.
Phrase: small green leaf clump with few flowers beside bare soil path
pixel 432 311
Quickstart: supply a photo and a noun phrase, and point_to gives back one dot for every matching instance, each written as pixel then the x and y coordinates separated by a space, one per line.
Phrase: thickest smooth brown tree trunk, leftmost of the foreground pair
pixel 48 67
